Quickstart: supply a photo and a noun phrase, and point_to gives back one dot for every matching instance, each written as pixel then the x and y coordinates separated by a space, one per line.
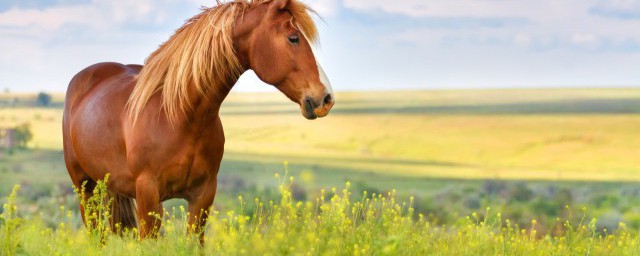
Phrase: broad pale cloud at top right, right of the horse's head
pixel 549 24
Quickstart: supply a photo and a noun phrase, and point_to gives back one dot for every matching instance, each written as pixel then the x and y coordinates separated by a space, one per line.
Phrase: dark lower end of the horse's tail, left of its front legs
pixel 123 213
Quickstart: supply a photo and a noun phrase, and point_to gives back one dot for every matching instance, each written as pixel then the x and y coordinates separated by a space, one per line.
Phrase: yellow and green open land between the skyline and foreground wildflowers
pixel 525 153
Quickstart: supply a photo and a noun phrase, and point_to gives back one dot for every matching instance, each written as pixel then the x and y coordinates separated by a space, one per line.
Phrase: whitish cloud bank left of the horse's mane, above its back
pixel 57 41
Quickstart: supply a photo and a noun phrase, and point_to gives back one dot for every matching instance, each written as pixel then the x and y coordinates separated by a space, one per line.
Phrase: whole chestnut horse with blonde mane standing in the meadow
pixel 155 128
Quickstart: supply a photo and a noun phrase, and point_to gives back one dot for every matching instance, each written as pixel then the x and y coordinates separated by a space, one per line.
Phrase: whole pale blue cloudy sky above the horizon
pixel 364 44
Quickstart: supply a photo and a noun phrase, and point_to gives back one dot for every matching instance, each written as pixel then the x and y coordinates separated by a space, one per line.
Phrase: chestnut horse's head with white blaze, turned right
pixel 277 39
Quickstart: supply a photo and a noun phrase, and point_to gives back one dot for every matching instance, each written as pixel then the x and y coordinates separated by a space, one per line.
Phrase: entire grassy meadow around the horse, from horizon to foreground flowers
pixel 566 158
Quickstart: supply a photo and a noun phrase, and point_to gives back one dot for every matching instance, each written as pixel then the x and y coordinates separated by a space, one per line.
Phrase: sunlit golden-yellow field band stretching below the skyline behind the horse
pixel 590 134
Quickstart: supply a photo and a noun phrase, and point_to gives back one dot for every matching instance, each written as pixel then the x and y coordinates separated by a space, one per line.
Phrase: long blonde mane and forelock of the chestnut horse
pixel 199 58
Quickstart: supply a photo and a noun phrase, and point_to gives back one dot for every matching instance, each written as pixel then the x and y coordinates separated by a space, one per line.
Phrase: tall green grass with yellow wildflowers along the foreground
pixel 334 223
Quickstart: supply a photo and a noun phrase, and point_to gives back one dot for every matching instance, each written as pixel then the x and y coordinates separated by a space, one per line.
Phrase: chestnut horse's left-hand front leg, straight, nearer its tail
pixel 149 206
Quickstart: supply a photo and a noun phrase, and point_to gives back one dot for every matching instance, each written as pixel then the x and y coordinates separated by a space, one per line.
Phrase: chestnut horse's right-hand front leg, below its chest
pixel 199 209
